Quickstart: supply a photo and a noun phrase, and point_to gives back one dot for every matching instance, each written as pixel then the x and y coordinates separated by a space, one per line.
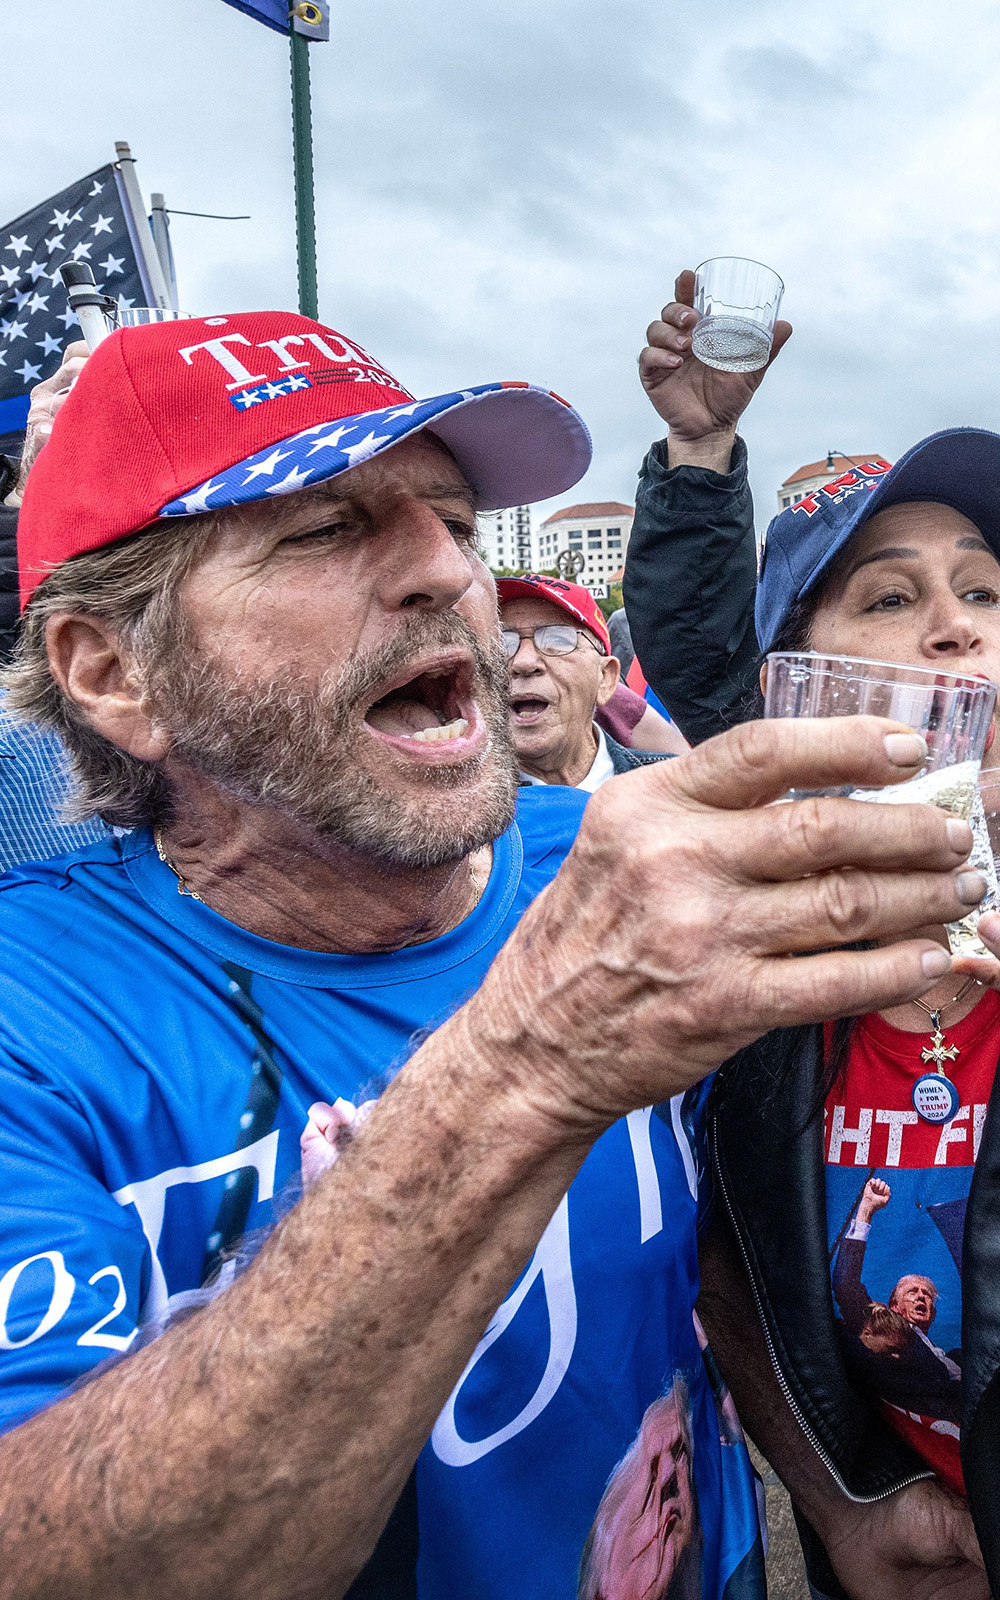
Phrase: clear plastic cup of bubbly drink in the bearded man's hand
pixel 951 711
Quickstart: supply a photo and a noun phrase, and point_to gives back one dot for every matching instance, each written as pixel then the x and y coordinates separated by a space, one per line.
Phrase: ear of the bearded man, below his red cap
pixel 86 660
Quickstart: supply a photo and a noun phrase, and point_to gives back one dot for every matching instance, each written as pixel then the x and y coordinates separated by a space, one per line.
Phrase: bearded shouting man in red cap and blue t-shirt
pixel 257 617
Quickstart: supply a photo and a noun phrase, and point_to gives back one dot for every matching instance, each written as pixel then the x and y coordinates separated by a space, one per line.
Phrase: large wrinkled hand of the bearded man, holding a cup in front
pixel 663 945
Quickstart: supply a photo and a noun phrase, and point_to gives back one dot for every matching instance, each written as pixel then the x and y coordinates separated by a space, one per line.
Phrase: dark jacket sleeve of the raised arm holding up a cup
pixel 689 590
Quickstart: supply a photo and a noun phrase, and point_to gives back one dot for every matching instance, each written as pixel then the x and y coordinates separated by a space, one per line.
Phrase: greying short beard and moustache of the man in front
pixel 297 746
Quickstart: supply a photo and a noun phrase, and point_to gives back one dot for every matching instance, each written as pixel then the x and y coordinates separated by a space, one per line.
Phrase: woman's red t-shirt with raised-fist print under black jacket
pixel 897 1196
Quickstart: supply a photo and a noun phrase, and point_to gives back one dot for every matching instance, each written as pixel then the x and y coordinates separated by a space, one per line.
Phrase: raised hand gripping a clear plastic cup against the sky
pixel 697 402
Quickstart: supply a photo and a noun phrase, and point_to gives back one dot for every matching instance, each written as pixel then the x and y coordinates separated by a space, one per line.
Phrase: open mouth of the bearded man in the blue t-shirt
pixel 431 713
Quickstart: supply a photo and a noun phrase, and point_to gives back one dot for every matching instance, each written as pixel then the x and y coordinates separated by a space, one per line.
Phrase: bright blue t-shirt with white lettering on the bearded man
pixel 156 1071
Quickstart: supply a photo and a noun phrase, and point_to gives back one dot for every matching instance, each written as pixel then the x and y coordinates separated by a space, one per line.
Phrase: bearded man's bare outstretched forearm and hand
pixel 258 1449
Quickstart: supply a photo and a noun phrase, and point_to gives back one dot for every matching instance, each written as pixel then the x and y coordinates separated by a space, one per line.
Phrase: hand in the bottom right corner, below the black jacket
pixel 918 1545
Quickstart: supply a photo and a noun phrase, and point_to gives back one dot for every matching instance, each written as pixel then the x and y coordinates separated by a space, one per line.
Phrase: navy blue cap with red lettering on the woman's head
pixel 958 468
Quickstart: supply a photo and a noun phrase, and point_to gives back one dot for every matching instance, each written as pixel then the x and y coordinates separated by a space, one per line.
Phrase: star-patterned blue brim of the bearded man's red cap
pixel 514 444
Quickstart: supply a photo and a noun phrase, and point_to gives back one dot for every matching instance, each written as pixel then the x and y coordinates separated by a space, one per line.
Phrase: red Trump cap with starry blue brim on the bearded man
pixel 196 415
